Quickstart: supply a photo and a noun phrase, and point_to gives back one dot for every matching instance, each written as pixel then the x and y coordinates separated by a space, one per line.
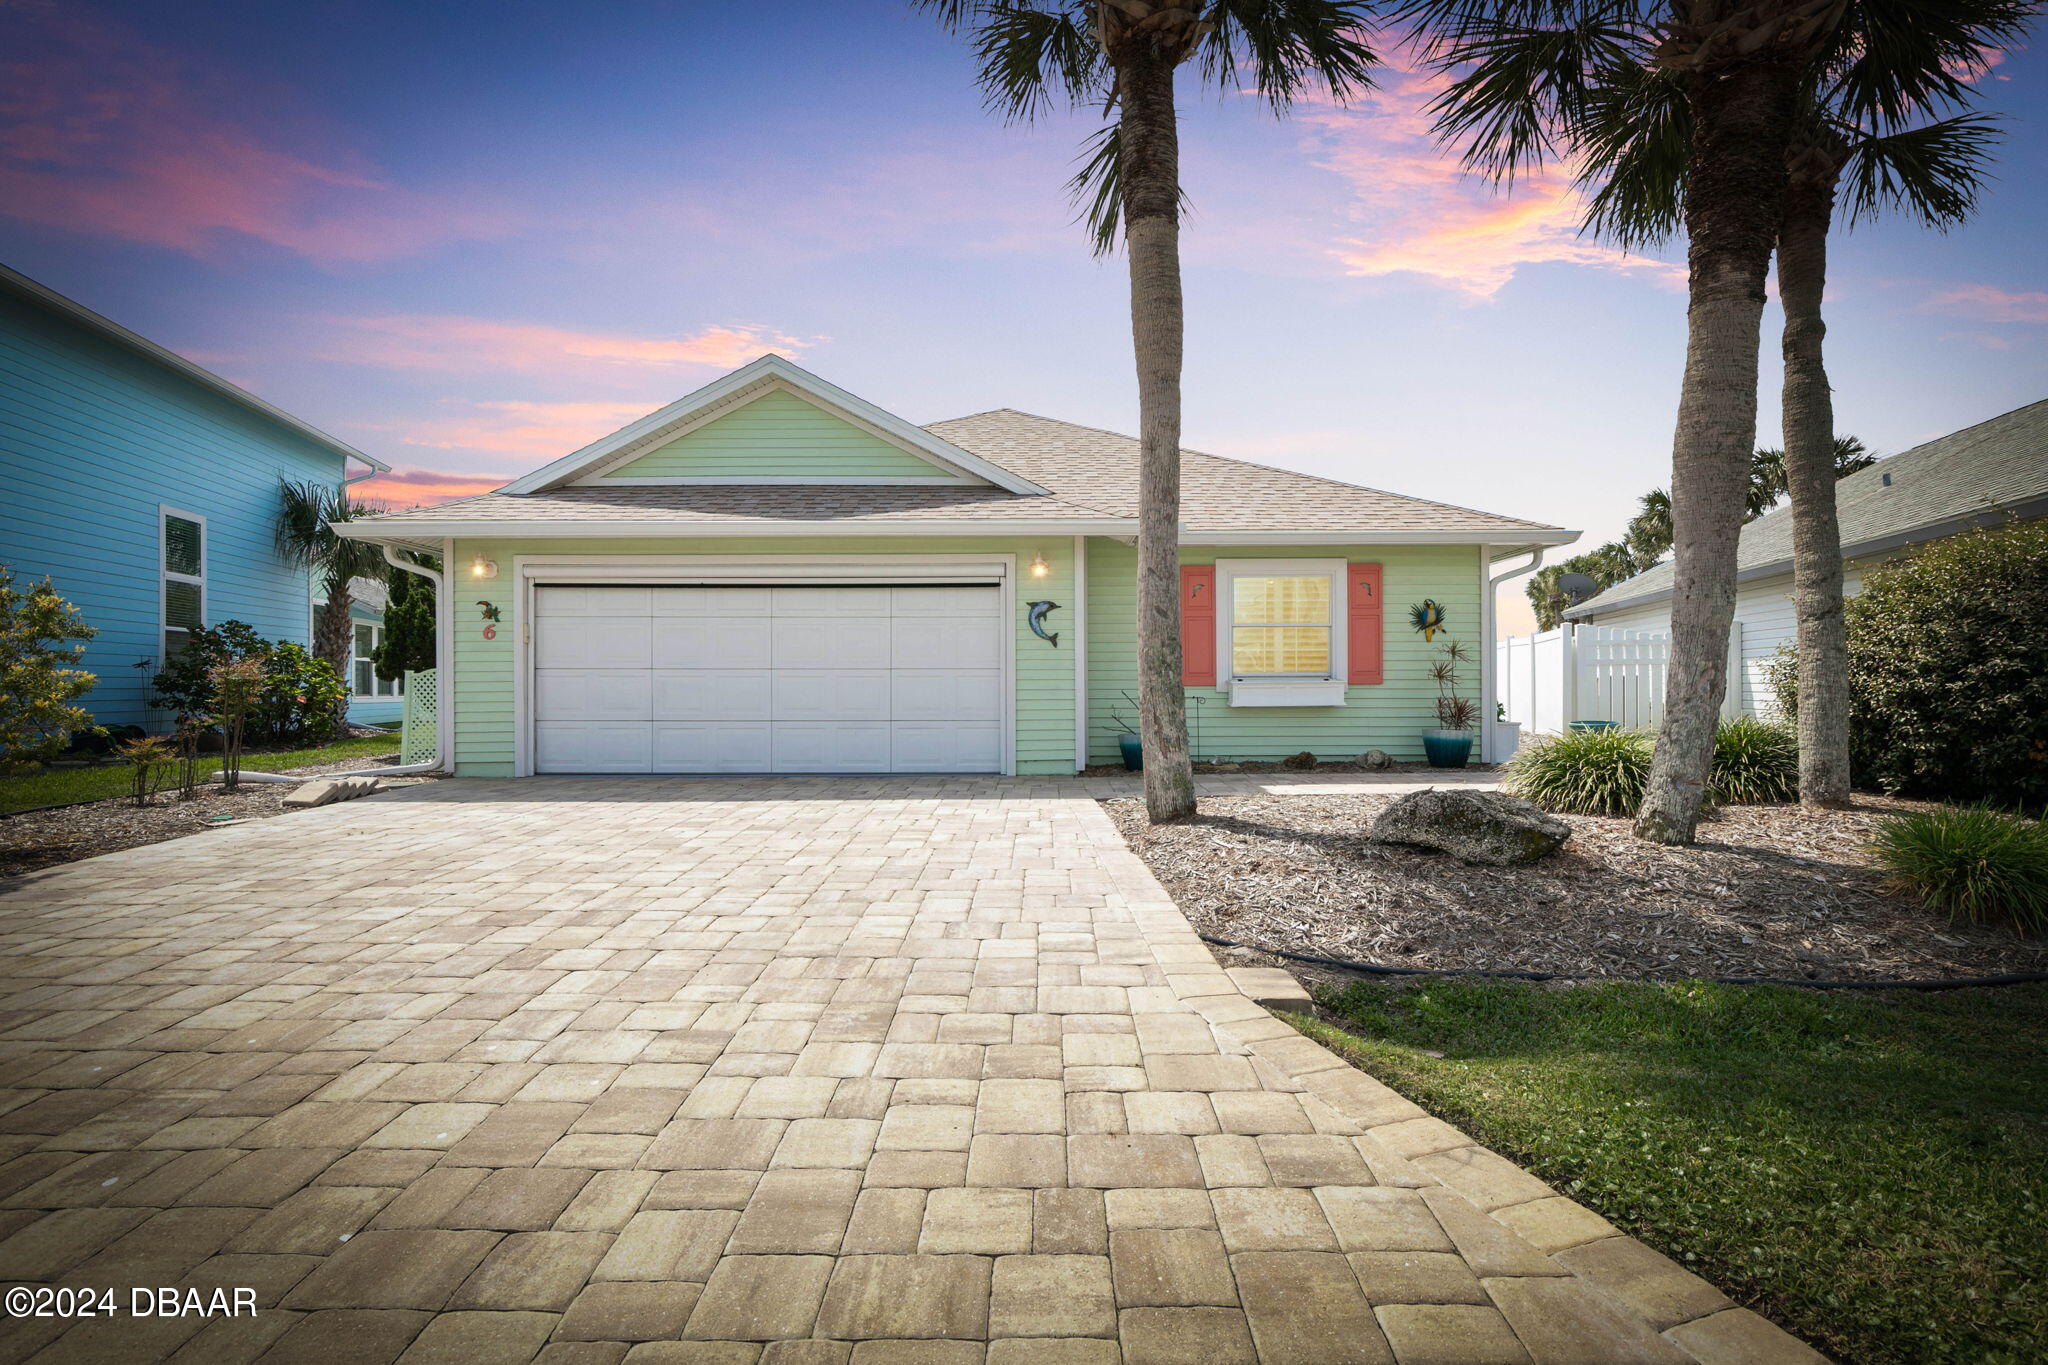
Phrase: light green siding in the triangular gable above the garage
pixel 777 435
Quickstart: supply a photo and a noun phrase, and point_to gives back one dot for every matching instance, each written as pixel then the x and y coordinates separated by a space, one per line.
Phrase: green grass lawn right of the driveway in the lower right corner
pixel 1869 1172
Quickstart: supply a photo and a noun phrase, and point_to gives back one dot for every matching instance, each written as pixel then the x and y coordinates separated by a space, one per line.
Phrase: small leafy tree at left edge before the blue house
pixel 42 637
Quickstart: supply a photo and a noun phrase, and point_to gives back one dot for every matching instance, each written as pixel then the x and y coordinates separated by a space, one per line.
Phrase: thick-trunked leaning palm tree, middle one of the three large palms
pixel 1736 77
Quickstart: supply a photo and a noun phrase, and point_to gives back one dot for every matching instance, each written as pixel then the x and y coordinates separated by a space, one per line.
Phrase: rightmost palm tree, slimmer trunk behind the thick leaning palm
pixel 1863 134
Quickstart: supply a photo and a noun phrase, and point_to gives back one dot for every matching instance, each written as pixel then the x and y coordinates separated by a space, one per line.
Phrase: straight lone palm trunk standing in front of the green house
pixel 1152 234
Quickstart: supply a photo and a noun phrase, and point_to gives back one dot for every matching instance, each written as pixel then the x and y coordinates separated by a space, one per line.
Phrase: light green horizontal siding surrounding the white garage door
pixel 484 715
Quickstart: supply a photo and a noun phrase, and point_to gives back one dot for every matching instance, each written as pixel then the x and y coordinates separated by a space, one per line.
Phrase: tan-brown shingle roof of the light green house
pixel 1093 478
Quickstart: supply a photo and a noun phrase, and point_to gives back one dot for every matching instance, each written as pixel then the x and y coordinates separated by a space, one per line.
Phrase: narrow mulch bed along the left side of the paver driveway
pixel 38 840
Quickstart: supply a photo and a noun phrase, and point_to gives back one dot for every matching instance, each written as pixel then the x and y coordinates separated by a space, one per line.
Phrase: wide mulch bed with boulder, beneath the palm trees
pixel 1768 891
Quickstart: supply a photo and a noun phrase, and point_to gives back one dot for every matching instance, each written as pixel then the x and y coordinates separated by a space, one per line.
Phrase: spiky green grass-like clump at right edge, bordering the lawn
pixel 1971 863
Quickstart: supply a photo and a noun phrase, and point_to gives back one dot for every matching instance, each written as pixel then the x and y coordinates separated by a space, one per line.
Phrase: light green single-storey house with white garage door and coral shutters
pixel 777 576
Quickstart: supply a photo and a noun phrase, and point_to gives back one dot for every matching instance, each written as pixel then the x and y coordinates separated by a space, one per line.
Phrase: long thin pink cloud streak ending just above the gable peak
pixel 474 345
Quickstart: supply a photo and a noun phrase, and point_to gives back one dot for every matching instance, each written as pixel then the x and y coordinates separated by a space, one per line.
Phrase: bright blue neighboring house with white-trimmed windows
pixel 148 490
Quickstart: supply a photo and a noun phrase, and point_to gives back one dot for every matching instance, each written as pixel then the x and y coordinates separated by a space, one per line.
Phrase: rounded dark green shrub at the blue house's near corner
pixel 300 699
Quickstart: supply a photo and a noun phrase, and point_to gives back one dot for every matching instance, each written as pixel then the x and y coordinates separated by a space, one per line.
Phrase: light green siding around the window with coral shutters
pixel 1390 715
